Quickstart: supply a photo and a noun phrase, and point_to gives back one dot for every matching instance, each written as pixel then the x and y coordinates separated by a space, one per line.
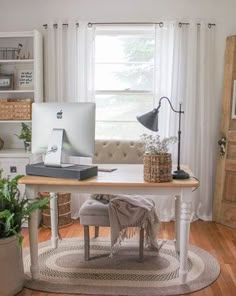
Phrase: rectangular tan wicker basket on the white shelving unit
pixel 15 109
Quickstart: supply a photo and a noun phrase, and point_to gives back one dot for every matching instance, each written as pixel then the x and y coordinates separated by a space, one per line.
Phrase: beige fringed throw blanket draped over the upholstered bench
pixel 127 212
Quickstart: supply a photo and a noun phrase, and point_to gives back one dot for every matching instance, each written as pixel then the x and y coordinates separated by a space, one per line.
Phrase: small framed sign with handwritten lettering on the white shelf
pixel 25 79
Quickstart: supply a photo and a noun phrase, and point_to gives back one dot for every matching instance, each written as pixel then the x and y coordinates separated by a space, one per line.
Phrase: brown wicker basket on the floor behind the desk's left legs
pixel 64 211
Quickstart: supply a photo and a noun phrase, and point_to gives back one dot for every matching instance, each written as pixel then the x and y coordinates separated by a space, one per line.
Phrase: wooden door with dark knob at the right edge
pixel 225 189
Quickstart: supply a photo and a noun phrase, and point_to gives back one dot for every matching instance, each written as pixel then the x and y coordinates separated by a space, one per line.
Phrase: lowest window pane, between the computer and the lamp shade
pixel 119 130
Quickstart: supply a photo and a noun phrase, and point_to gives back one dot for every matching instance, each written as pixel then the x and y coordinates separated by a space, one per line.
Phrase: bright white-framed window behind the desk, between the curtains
pixel 124 67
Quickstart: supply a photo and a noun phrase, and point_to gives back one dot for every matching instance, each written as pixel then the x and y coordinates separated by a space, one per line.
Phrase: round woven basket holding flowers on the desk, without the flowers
pixel 157 168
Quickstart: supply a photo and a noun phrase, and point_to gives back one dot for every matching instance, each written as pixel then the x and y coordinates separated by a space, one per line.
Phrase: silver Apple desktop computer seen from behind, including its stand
pixel 67 126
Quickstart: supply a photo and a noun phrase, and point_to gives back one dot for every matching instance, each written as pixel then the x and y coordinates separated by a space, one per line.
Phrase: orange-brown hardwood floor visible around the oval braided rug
pixel 217 239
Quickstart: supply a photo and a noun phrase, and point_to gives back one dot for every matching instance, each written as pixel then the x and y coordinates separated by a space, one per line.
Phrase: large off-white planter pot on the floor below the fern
pixel 11 267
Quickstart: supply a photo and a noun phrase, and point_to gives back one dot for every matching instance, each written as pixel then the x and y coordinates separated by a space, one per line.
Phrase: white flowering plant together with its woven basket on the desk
pixel 157 161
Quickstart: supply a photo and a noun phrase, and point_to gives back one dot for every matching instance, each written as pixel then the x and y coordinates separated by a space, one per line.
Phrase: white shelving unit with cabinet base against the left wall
pixel 13 158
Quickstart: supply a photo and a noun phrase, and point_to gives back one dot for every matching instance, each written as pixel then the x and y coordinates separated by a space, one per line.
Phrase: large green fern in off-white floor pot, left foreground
pixel 14 210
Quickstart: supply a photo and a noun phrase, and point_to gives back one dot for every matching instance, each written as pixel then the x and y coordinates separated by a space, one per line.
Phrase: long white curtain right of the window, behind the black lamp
pixel 185 73
